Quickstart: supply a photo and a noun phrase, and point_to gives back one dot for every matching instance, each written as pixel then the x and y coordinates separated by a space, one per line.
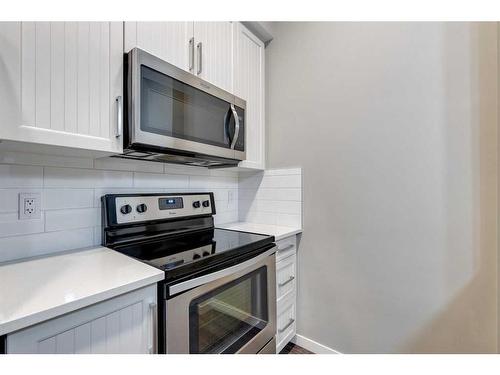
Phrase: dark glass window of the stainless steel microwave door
pixel 175 109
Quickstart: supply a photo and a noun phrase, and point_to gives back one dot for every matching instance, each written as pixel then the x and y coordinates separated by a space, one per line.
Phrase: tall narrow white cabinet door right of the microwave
pixel 249 77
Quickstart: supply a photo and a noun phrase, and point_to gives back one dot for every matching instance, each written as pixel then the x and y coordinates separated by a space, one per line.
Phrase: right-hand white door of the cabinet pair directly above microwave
pixel 214 53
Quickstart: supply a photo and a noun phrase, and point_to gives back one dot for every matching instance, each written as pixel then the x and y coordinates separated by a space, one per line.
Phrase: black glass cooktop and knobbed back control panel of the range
pixel 174 232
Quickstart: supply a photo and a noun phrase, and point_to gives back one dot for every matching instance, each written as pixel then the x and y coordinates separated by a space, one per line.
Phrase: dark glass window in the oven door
pixel 226 318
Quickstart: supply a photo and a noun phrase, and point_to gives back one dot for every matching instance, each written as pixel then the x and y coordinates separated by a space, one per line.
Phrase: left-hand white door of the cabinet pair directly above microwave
pixel 170 41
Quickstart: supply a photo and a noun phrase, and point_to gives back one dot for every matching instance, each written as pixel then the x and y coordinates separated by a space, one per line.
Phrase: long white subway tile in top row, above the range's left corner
pixel 81 178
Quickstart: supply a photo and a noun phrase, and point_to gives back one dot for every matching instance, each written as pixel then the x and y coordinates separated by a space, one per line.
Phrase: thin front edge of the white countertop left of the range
pixel 54 312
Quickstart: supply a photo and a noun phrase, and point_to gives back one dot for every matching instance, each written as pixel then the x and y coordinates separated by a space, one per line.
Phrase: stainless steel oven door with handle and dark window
pixel 229 311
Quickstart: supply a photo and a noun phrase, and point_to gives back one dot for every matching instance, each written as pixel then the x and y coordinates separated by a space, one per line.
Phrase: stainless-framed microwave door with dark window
pixel 168 111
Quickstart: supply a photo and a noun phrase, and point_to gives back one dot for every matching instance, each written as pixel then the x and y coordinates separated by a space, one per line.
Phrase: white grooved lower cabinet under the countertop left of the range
pixel 124 324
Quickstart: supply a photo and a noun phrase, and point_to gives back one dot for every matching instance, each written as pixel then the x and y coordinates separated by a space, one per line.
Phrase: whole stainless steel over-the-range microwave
pixel 174 116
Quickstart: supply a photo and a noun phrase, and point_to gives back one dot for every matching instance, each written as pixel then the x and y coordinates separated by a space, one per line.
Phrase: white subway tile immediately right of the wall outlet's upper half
pixel 53 199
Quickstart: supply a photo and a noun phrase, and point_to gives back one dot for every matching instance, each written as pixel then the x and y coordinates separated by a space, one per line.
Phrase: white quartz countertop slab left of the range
pixel 35 290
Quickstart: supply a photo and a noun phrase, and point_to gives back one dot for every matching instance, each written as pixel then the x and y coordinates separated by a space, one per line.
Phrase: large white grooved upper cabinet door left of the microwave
pixel 61 82
